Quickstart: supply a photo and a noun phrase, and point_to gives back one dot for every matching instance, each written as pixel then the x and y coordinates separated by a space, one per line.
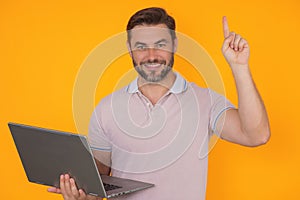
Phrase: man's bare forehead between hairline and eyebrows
pixel 150 33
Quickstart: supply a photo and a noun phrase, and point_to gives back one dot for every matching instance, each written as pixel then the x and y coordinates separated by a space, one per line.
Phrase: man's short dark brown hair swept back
pixel 151 16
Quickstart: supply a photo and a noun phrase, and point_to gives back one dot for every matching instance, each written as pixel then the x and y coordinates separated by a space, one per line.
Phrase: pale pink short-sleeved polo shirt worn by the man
pixel 165 144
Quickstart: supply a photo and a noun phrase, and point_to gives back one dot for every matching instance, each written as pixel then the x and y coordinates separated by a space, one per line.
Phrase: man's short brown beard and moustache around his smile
pixel 152 76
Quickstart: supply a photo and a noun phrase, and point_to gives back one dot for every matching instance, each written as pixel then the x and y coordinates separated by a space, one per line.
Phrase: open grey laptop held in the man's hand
pixel 46 154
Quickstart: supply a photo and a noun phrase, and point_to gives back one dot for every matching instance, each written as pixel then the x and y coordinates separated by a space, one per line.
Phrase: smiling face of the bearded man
pixel 152 50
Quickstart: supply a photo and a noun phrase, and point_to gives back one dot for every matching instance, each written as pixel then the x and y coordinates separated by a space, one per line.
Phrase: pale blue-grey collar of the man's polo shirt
pixel 179 86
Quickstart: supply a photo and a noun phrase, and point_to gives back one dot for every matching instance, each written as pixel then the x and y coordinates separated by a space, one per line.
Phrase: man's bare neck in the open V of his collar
pixel 154 91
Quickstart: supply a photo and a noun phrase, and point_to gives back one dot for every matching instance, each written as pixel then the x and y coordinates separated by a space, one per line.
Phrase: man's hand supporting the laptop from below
pixel 69 190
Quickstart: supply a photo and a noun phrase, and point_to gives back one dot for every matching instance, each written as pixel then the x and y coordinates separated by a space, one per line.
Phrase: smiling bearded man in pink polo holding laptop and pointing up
pixel 157 128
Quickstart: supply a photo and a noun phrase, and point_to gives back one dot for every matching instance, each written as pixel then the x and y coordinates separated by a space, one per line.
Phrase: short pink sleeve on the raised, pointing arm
pixel 219 104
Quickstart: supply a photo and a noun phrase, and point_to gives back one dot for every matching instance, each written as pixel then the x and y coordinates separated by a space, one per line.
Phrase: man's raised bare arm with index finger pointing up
pixel 248 125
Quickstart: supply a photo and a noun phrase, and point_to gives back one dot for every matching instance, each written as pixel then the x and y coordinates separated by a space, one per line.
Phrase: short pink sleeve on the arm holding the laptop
pixel 97 137
